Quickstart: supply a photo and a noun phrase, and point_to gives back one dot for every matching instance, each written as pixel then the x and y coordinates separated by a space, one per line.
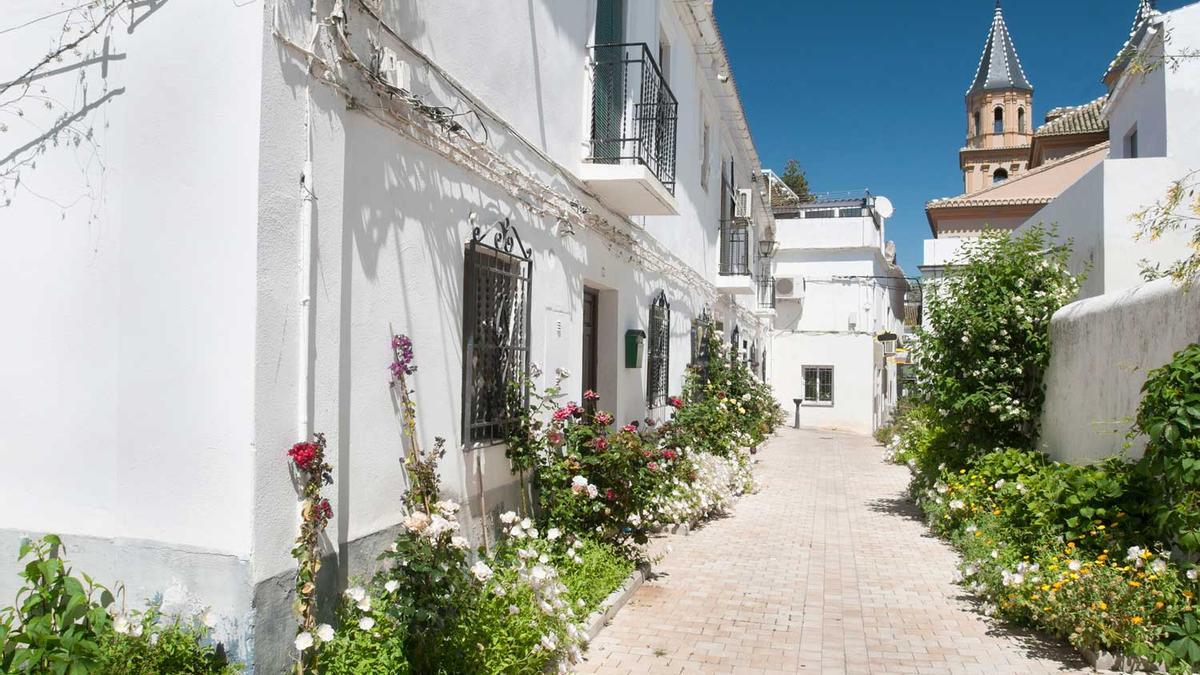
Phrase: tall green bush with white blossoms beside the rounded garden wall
pixel 982 359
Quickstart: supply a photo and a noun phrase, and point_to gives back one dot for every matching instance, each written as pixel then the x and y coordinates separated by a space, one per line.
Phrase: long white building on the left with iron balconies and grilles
pixel 237 206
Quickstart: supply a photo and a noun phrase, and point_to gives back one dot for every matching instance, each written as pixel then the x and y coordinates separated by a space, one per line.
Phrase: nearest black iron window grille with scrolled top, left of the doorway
pixel 496 332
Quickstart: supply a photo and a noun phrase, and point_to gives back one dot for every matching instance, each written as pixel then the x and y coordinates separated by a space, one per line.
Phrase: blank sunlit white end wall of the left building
pixel 127 279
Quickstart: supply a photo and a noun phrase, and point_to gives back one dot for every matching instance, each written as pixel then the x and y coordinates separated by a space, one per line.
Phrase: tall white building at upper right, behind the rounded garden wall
pixel 1154 141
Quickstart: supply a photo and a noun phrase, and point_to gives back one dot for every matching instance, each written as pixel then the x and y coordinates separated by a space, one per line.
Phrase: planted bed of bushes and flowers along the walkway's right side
pixel 1099 555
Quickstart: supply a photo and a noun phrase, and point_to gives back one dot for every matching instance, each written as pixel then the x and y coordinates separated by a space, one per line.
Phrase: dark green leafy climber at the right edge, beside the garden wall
pixel 1169 416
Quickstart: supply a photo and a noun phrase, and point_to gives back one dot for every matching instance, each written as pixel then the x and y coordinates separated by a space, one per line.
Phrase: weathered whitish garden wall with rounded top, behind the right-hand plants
pixel 1102 350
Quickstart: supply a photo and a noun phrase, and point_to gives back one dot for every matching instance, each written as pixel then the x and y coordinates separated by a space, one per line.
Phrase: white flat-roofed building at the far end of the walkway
pixel 841 302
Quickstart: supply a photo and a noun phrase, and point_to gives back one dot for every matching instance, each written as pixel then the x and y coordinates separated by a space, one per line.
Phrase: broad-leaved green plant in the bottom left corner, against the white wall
pixel 58 622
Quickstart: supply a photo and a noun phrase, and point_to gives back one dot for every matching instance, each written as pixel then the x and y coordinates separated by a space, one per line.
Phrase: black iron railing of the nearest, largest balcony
pixel 634 114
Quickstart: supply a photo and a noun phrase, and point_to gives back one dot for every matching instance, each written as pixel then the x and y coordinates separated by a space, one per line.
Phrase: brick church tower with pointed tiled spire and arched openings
pixel 1000 107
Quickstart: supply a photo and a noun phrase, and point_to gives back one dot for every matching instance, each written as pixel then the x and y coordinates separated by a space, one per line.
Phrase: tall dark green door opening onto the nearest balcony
pixel 608 95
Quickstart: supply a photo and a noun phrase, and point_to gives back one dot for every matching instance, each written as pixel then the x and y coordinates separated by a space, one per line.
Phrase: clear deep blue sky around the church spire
pixel 869 93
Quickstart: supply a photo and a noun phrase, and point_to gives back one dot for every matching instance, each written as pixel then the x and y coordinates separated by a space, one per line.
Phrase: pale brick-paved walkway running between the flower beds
pixel 826 570
